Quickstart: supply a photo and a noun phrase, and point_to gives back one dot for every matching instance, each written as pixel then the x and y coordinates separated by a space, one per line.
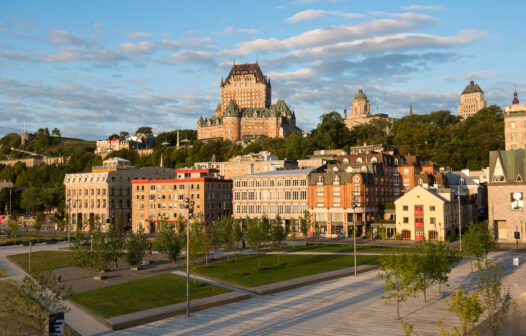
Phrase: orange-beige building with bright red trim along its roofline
pixel 154 201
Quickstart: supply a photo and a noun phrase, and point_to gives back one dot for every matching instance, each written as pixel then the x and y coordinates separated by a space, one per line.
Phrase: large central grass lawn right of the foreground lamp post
pixel 291 266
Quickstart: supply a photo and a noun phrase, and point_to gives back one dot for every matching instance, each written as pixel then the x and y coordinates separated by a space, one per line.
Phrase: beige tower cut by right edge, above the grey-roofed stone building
pixel 515 124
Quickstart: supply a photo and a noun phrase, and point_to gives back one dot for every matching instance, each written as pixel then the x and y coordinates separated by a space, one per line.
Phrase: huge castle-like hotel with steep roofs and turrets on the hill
pixel 245 109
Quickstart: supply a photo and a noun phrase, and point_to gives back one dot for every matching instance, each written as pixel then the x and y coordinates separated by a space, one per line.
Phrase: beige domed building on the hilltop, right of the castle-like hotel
pixel 360 113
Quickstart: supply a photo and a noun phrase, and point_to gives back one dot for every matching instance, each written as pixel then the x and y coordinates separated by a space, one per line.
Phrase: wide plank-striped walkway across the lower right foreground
pixel 346 306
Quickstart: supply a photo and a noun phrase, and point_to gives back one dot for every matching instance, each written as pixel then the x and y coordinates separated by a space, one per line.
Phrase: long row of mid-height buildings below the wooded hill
pixel 337 190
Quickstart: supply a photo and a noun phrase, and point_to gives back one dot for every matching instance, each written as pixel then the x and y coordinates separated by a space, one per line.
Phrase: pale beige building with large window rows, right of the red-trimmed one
pixel 282 192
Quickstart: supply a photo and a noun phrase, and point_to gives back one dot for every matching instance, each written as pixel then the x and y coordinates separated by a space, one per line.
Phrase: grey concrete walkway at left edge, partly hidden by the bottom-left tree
pixel 80 321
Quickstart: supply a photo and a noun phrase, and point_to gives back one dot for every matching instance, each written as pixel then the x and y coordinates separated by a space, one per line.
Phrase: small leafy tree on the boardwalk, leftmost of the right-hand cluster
pixel 400 280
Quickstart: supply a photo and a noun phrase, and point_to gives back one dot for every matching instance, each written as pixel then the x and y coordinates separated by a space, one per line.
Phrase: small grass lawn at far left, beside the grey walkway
pixel 44 260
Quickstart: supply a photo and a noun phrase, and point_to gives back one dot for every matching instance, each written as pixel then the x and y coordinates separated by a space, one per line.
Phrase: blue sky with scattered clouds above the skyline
pixel 94 68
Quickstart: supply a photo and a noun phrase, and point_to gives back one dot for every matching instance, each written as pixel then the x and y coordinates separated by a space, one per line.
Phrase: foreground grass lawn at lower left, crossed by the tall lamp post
pixel 137 295
